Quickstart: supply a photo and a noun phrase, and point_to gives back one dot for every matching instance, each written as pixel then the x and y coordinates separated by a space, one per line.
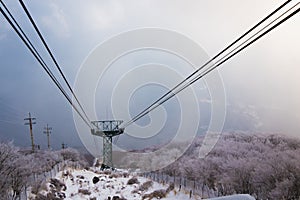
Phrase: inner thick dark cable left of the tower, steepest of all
pixel 51 55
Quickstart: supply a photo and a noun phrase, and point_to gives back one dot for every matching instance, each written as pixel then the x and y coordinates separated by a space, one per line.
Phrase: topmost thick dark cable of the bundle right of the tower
pixel 205 64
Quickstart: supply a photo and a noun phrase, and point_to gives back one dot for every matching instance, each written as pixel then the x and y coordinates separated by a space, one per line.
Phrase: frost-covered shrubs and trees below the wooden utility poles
pixel 21 169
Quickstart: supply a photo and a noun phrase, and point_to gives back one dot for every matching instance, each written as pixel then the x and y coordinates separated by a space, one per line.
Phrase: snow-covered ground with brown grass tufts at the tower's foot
pixel 78 184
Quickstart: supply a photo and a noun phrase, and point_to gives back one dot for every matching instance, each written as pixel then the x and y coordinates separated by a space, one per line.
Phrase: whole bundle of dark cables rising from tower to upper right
pixel 240 44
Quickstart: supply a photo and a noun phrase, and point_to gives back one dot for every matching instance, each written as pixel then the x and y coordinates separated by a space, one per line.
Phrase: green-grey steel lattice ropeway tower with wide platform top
pixel 107 130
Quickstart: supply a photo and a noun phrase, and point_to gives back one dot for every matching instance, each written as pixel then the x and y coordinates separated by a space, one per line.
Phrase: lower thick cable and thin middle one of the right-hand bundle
pixel 172 94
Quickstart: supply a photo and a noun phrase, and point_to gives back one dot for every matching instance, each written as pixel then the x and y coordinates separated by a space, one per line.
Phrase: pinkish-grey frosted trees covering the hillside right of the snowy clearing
pixel 266 167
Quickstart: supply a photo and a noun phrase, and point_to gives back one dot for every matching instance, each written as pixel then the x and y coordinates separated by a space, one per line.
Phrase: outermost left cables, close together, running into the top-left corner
pixel 42 63
